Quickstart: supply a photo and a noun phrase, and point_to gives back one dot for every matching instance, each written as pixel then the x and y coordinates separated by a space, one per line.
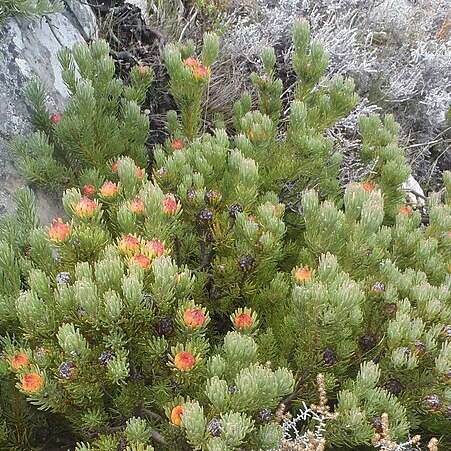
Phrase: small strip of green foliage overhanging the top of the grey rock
pixel 28 9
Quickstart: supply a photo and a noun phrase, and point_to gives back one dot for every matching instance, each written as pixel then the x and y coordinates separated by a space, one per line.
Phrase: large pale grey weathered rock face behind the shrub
pixel 30 49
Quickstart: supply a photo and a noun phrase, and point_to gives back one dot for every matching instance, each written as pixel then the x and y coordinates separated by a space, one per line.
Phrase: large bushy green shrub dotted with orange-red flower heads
pixel 191 307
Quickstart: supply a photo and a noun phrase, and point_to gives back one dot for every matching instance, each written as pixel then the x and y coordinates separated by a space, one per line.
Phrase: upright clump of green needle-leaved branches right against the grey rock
pixel 101 122
